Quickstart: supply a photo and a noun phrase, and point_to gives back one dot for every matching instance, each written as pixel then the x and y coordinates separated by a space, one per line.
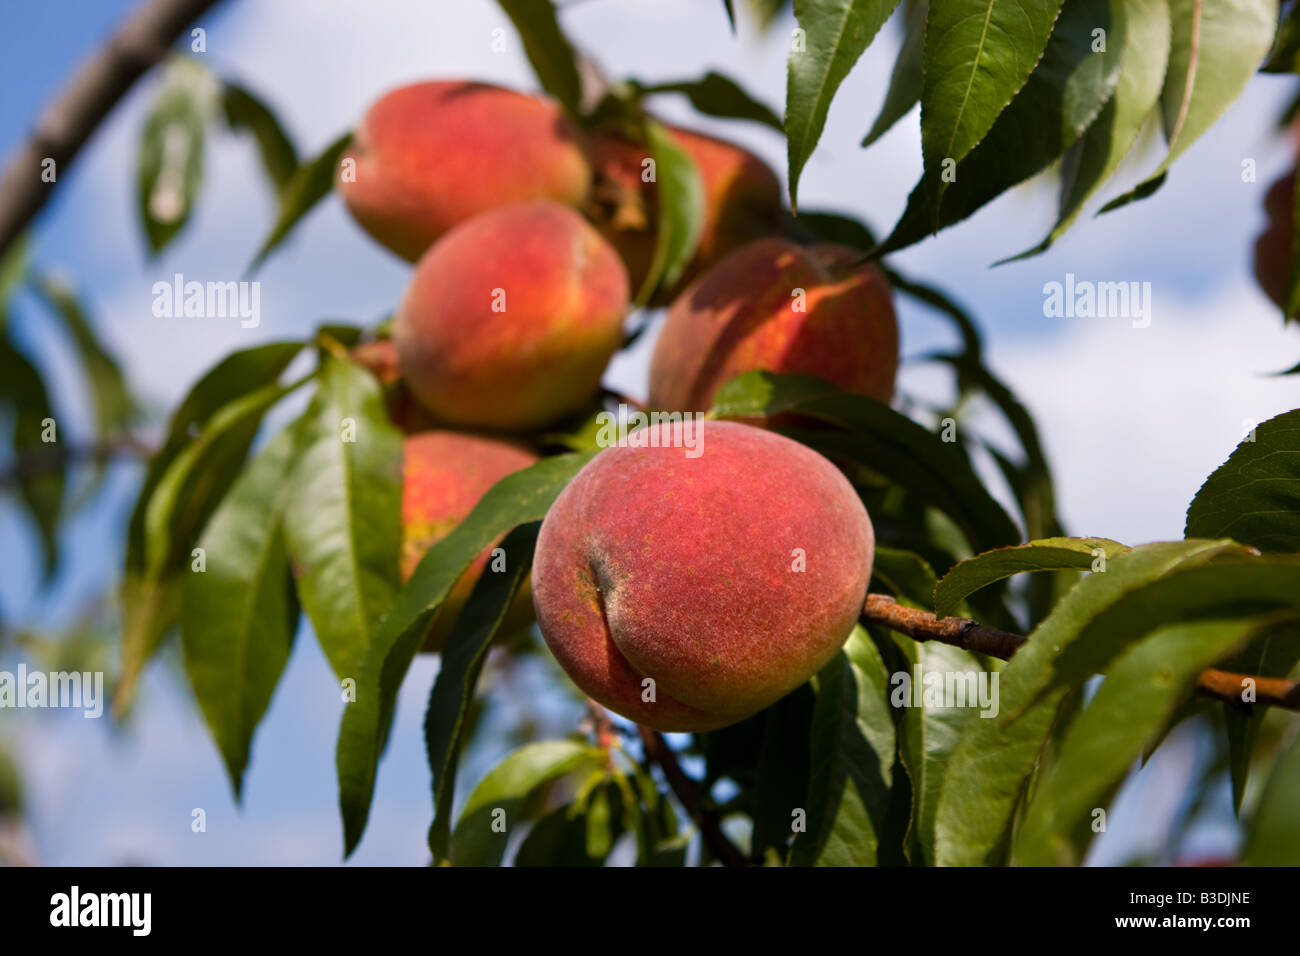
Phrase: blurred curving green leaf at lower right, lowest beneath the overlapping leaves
pixel 1142 690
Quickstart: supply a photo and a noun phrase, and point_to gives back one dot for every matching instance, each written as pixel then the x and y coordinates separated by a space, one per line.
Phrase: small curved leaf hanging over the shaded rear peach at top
pixel 682 211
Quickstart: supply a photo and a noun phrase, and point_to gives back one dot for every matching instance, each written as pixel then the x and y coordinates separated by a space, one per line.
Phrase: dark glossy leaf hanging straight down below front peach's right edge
pixel 852 760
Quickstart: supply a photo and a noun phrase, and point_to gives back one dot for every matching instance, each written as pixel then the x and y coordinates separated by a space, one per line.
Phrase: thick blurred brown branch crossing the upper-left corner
pixel 80 109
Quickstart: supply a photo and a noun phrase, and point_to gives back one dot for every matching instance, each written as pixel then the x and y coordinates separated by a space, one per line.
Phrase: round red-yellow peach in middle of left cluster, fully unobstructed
pixel 512 319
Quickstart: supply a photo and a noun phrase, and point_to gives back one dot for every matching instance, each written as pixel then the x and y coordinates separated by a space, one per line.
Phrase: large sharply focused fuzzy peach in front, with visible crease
pixel 691 592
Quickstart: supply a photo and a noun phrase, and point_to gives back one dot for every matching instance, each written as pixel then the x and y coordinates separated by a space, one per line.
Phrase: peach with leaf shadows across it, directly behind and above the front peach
pixel 779 308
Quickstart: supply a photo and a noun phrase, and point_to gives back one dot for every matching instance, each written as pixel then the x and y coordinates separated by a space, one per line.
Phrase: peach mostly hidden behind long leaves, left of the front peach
pixel 445 474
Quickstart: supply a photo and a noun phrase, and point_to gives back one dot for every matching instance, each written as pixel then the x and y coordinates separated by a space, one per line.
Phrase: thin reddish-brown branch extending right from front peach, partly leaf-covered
pixel 969 635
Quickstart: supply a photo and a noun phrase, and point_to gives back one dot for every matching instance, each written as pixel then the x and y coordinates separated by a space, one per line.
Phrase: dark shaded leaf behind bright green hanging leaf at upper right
pixel 1063 97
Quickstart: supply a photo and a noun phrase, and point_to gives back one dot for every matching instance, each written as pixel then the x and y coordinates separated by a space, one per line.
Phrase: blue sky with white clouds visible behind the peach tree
pixel 1133 419
